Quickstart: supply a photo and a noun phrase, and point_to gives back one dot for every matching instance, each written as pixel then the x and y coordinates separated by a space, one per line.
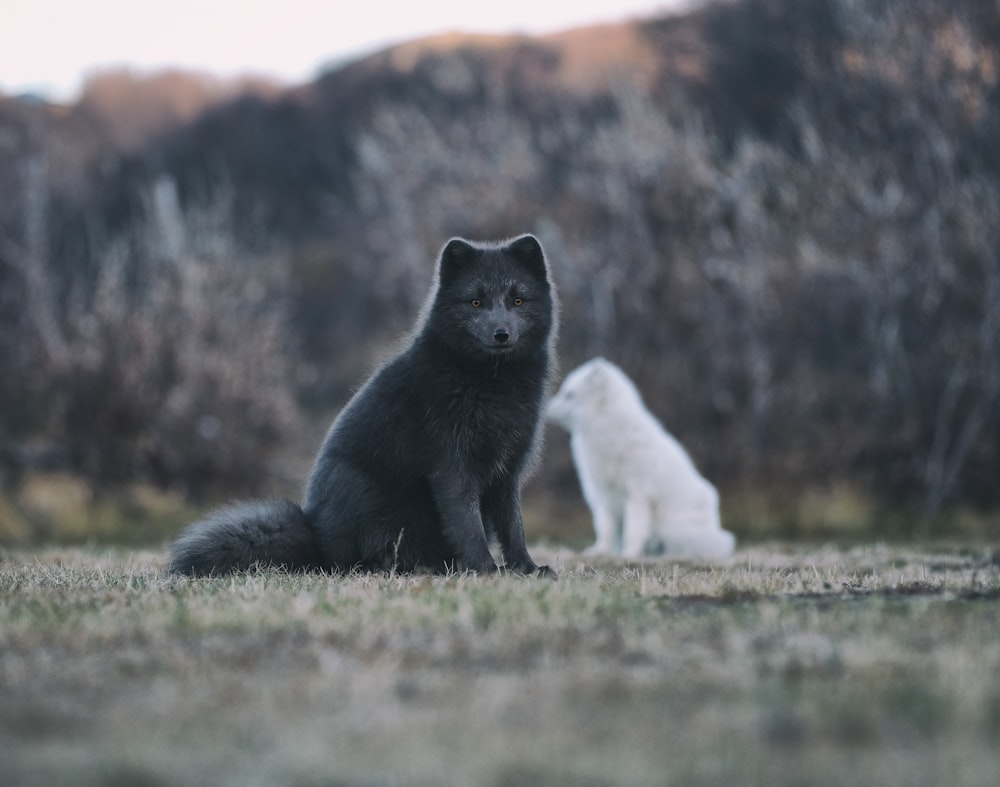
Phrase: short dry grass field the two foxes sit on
pixel 787 665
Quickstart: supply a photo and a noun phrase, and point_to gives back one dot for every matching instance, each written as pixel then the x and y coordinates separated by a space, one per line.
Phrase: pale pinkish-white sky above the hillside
pixel 48 47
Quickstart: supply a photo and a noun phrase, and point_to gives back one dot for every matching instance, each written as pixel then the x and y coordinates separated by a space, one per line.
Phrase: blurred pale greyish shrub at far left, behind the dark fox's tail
pixel 172 361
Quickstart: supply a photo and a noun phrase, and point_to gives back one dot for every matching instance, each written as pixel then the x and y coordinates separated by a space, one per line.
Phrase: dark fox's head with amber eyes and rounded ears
pixel 493 300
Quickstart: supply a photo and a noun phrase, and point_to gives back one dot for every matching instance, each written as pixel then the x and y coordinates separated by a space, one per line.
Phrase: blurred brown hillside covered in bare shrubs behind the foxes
pixel 778 216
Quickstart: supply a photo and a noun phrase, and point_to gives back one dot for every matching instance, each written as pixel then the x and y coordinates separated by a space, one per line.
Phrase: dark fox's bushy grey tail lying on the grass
pixel 244 535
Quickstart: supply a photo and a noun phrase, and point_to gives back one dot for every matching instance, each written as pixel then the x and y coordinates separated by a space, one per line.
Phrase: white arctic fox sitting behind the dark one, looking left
pixel 642 488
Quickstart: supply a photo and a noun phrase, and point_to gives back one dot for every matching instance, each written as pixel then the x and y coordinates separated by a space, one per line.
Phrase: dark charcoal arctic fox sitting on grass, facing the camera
pixel 422 469
